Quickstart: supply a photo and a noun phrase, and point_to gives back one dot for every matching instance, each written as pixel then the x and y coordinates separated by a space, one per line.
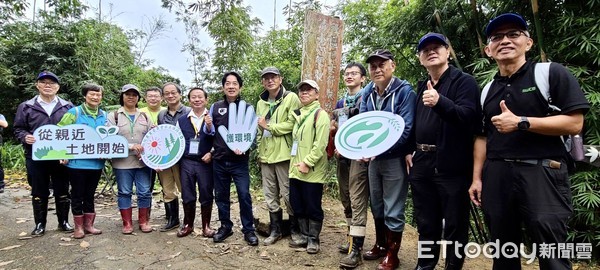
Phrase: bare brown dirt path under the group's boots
pixel 163 250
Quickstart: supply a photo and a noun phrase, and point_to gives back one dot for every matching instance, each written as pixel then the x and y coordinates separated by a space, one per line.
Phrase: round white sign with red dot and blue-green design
pixel 163 146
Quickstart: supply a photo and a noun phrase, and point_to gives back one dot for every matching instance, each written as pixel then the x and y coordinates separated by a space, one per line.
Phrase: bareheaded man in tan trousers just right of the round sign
pixel 169 177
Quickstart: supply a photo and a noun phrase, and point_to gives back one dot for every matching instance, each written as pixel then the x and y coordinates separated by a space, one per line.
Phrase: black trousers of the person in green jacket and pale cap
pixel 305 199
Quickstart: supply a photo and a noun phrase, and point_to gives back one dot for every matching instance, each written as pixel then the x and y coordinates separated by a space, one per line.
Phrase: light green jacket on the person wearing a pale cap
pixel 312 141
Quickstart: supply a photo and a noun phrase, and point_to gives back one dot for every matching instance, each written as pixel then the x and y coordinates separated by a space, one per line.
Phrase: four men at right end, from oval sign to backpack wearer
pixel 500 148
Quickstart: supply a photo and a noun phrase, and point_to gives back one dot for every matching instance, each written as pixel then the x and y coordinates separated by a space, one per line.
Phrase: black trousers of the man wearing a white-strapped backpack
pixel 535 195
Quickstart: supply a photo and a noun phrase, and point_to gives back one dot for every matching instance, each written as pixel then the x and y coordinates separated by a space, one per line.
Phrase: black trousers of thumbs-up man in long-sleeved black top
pixel 441 204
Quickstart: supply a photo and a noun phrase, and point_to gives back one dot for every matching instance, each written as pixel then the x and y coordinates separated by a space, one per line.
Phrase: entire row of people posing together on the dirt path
pixel 501 150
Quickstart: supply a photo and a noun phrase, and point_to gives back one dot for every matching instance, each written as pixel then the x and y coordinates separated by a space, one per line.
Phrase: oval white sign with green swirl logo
pixel 368 134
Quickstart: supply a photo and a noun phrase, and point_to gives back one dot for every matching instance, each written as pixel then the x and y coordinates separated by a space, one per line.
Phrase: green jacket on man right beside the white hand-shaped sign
pixel 277 147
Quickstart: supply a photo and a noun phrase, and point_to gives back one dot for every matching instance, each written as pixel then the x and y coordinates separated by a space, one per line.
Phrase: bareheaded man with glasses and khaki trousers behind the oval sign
pixel 352 175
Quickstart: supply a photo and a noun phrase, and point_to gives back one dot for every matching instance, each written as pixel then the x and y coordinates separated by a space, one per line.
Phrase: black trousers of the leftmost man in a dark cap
pixel 39 174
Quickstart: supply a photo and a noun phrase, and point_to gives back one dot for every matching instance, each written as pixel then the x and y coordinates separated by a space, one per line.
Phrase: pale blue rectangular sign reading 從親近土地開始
pixel 78 141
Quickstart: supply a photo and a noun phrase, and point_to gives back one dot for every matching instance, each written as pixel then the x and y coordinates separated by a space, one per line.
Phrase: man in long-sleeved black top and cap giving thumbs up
pixel 440 165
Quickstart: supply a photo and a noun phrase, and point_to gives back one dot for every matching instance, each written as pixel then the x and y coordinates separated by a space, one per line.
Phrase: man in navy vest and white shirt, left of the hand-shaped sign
pixel 196 165
